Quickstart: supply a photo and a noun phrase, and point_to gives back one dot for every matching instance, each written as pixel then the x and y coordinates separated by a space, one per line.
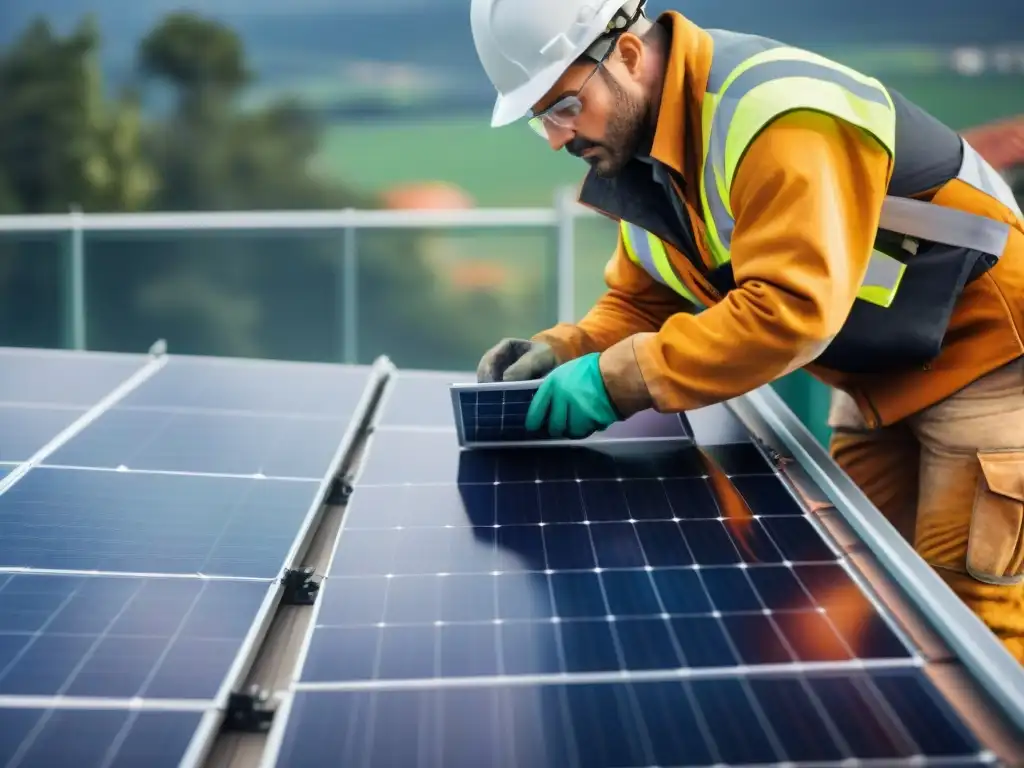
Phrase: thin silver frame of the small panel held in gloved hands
pixel 610 436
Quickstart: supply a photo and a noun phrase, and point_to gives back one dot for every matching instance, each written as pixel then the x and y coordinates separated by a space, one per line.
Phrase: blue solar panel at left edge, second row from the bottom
pixel 122 637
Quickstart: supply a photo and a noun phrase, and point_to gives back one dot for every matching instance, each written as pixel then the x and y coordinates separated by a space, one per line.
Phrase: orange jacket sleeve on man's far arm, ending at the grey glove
pixel 634 304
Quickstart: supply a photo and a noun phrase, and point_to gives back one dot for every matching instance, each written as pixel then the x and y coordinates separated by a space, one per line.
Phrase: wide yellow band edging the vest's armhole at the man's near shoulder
pixel 793 94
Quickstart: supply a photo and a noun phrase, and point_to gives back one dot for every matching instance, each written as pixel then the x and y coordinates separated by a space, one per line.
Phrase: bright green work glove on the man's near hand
pixel 573 401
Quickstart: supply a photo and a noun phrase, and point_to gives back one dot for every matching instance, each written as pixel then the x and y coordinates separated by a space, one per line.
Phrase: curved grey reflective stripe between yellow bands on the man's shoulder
pixel 727 111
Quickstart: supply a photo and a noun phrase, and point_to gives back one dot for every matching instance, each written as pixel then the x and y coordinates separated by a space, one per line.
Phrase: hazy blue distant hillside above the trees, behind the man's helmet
pixel 308 42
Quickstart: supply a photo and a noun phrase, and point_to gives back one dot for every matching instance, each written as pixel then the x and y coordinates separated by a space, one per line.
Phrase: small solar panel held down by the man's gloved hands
pixel 495 414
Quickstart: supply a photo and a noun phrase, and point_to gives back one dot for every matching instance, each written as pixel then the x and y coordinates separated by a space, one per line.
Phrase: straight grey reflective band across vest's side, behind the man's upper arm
pixel 942 225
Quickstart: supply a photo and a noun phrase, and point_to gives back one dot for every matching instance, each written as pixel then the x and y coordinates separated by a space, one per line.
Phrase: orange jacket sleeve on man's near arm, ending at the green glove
pixel 807 199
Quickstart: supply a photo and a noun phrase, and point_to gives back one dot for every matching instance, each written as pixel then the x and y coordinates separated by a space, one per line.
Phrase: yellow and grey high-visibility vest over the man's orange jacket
pixel 755 80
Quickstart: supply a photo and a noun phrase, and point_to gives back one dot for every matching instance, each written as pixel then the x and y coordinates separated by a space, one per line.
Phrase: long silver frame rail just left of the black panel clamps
pixel 381 372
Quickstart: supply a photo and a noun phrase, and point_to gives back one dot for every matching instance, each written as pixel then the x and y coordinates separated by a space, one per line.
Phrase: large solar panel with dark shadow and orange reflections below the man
pixel 617 604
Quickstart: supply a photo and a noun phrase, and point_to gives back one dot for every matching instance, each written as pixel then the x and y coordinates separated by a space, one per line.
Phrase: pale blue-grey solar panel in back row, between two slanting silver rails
pixel 197 416
